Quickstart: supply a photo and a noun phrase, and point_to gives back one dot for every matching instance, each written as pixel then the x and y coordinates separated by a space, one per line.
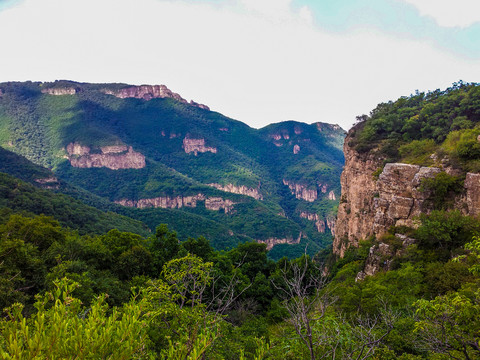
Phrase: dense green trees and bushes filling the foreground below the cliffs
pixel 189 301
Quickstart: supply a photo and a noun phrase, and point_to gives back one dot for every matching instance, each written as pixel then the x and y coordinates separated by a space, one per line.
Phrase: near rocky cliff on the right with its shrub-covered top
pixel 410 157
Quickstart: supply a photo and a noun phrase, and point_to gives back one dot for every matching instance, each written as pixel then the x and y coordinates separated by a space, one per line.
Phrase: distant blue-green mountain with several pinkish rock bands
pixel 166 160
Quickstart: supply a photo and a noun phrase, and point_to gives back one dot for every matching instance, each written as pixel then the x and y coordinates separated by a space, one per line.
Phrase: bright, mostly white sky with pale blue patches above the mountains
pixel 257 61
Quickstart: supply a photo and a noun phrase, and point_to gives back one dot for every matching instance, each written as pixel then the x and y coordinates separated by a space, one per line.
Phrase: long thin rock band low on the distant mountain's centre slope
pixel 177 202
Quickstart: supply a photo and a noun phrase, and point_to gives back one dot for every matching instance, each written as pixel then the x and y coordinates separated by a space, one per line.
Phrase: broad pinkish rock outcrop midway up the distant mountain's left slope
pixel 114 157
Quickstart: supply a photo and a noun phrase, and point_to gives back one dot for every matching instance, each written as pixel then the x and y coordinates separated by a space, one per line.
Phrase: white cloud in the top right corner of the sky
pixel 458 13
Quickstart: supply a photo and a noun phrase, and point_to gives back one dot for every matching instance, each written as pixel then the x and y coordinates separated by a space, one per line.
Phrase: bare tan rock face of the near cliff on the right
pixel 370 206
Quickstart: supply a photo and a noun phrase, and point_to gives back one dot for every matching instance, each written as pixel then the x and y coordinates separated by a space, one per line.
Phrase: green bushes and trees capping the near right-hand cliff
pixel 413 128
